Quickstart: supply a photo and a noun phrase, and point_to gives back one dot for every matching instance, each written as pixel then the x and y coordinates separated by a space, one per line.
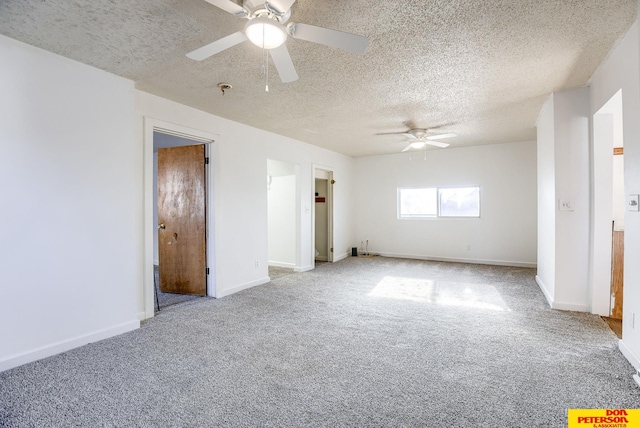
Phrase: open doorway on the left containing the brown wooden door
pixel 179 210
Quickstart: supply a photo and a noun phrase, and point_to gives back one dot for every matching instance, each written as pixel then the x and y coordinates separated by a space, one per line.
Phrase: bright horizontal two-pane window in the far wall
pixel 433 202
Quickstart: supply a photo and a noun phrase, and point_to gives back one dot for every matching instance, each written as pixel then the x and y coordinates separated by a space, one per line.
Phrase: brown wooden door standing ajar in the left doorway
pixel 182 220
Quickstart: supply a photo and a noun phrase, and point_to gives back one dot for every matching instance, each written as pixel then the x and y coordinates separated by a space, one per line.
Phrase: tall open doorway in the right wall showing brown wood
pixel 608 212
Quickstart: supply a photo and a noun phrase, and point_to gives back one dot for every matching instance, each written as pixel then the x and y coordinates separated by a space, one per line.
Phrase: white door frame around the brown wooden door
pixel 149 228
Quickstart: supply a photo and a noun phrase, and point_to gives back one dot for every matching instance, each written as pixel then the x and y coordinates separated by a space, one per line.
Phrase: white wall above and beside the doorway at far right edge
pixel 622 71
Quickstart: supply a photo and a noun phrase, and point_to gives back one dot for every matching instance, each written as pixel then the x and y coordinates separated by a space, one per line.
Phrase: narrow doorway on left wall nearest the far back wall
pixel 323 215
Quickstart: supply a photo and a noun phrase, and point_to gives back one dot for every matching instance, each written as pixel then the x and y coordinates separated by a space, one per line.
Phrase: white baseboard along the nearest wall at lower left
pixel 66 345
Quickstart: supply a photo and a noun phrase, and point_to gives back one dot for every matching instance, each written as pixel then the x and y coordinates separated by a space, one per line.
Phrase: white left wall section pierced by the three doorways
pixel 240 170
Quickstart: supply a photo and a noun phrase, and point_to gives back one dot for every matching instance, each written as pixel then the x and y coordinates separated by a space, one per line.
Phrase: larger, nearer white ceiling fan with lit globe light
pixel 266 29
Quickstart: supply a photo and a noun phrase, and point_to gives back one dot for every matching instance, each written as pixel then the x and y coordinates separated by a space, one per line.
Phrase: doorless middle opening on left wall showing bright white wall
pixel 282 217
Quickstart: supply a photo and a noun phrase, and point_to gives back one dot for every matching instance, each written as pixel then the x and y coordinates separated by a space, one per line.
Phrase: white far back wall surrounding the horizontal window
pixel 504 234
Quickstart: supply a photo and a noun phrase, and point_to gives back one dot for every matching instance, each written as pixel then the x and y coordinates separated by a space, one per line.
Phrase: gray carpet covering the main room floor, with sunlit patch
pixel 363 343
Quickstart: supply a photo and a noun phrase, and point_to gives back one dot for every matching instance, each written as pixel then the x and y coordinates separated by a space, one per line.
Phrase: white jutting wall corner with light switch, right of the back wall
pixel 563 178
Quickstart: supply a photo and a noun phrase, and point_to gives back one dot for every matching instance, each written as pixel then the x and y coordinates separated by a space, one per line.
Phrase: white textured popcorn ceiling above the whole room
pixel 481 69
